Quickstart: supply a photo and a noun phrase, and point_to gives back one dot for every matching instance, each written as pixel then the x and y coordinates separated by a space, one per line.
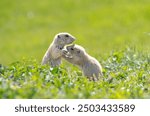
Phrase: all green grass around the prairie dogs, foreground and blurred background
pixel 103 27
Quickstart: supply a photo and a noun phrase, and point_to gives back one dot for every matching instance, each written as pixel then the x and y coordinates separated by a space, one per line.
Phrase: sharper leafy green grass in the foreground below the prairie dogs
pixel 126 75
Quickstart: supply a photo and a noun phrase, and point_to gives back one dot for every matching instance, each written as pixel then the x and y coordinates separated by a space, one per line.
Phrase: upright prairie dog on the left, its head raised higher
pixel 54 52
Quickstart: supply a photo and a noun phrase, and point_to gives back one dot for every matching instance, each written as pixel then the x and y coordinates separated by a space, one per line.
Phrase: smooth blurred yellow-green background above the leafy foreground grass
pixel 27 27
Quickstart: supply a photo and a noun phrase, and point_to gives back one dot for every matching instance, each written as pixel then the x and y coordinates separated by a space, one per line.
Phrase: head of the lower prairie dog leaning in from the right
pixel 76 53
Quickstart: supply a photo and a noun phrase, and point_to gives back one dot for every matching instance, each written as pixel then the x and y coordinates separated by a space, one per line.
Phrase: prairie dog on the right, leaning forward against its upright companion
pixel 77 55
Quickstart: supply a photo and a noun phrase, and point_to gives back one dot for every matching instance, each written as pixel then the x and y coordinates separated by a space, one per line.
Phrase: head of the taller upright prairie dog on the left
pixel 63 39
